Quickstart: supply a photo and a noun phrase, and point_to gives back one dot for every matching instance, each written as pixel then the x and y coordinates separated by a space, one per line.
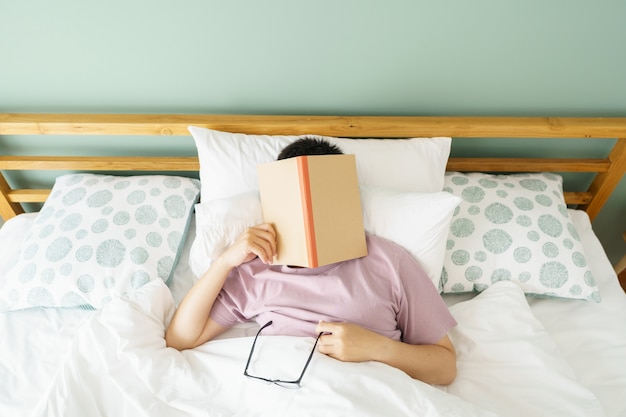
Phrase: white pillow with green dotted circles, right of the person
pixel 514 227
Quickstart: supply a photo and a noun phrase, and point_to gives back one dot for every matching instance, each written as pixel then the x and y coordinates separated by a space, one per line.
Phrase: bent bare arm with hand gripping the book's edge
pixel 191 325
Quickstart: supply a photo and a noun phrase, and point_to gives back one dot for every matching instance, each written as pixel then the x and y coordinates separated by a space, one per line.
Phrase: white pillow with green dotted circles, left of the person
pixel 99 236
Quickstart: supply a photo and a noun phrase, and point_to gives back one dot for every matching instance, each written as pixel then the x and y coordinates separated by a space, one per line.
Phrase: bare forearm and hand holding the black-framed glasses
pixel 433 364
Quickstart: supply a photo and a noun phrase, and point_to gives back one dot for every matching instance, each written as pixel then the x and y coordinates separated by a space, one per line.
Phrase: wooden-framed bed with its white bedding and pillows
pixel 540 310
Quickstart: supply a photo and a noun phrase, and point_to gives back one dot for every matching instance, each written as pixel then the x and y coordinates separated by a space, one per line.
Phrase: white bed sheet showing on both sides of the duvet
pixel 34 342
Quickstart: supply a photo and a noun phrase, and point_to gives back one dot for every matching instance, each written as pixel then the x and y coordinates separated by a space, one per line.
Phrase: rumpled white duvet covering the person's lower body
pixel 118 365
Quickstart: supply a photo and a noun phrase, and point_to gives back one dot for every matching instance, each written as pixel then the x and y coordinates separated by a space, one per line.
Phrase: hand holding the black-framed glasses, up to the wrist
pixel 348 342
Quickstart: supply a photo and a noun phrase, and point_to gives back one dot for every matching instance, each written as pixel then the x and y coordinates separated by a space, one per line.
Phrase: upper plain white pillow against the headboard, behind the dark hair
pixel 228 161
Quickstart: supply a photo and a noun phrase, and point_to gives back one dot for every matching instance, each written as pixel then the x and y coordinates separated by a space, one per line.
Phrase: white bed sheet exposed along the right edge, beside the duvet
pixel 592 336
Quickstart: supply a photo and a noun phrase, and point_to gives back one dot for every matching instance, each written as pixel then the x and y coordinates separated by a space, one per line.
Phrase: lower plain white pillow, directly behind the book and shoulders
pixel 417 221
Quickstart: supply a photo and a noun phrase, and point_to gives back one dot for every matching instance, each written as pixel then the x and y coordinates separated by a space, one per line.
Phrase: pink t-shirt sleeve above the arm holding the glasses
pixel 423 316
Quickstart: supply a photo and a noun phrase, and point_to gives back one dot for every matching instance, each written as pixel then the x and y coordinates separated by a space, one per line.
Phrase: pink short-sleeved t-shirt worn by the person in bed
pixel 386 292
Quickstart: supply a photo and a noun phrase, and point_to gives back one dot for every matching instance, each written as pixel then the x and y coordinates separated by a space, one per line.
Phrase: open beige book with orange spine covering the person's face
pixel 315 205
